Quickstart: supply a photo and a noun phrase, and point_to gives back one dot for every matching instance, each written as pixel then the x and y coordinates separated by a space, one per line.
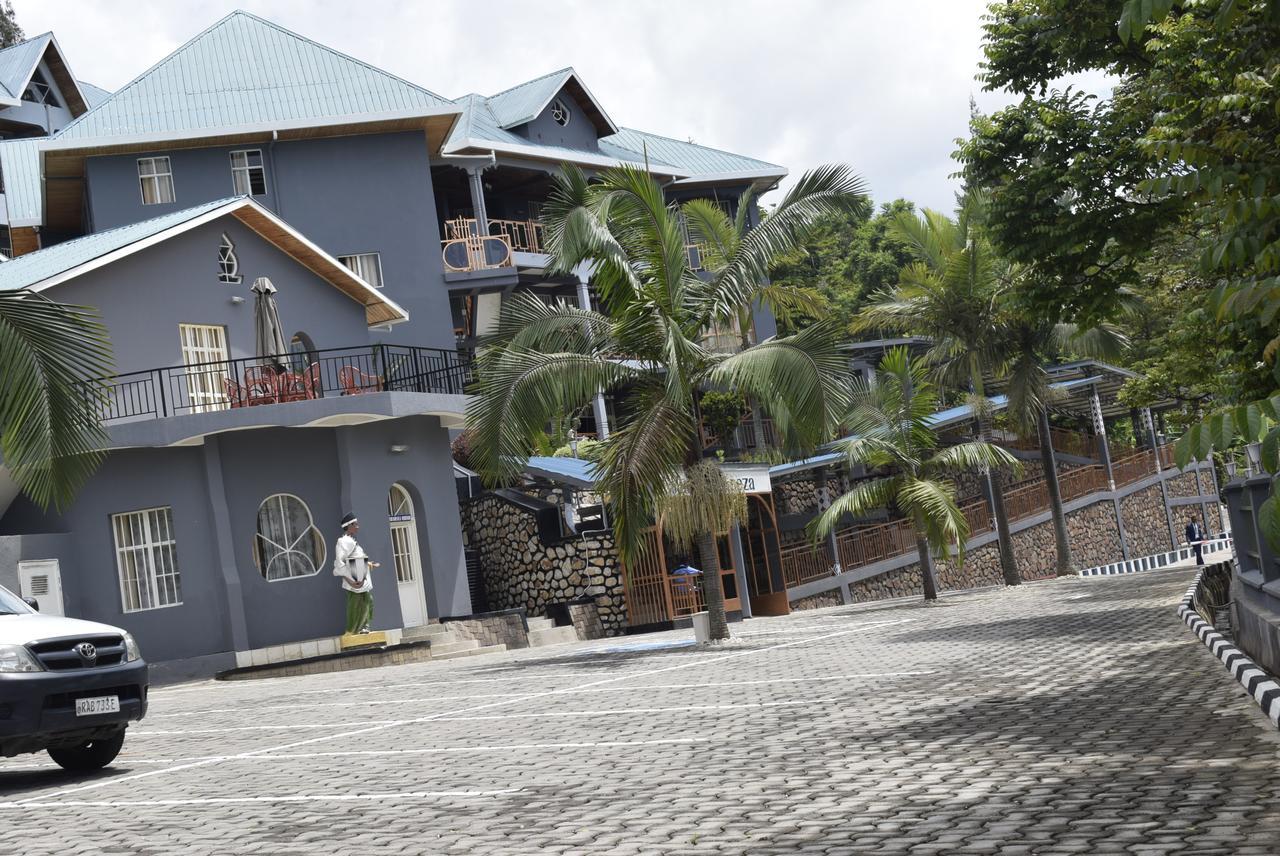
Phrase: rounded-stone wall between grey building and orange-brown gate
pixel 523 571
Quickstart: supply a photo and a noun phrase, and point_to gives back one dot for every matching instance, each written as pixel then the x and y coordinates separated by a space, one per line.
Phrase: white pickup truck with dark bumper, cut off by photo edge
pixel 70 688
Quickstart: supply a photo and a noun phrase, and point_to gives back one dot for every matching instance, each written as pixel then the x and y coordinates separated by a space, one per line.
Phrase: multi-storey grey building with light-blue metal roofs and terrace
pixel 391 223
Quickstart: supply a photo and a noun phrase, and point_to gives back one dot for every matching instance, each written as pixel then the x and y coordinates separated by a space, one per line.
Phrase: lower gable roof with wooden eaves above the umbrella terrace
pixel 65 262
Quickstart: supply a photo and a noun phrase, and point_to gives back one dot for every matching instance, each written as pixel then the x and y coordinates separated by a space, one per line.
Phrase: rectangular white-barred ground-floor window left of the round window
pixel 147 560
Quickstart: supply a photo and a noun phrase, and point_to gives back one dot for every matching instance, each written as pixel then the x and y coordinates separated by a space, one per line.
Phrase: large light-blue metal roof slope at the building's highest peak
pixel 245 71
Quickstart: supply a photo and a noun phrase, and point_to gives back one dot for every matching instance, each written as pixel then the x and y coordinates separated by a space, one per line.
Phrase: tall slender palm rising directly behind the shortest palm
pixel 953 295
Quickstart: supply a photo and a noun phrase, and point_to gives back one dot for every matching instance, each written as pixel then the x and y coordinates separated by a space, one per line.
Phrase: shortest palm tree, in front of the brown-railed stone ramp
pixel 892 433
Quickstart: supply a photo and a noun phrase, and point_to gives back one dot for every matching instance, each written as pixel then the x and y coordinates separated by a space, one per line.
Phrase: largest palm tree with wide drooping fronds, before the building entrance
pixel 646 342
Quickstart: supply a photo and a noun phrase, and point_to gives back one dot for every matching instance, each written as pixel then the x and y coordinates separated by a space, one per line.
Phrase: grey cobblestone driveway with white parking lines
pixel 1073 716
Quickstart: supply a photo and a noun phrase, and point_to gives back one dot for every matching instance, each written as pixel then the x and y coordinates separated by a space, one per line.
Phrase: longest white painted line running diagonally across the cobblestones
pixel 351 734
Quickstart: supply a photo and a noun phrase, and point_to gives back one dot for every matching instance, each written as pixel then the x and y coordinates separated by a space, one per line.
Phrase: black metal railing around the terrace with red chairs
pixel 253 382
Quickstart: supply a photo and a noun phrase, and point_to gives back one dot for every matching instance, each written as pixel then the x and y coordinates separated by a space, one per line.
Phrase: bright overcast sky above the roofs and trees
pixel 884 86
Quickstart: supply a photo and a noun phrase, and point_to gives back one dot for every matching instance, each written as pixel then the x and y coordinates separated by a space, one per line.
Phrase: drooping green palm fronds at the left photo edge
pixel 53 358
